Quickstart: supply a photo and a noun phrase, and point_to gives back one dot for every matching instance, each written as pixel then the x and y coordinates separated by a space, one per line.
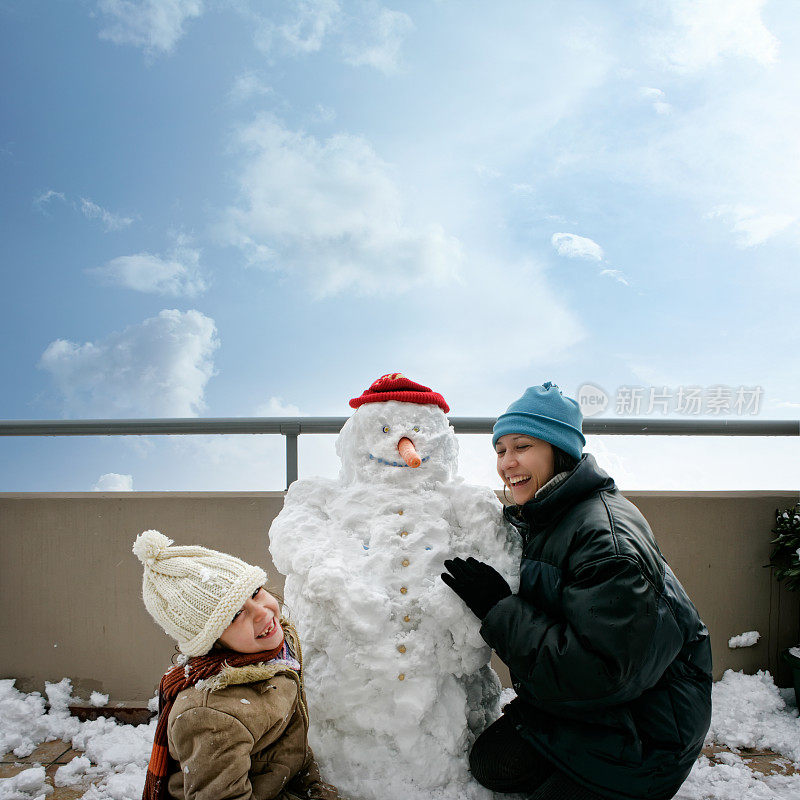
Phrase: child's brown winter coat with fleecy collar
pixel 243 735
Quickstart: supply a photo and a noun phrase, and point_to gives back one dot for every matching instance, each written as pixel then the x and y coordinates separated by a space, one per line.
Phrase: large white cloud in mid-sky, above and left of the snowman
pixel 331 209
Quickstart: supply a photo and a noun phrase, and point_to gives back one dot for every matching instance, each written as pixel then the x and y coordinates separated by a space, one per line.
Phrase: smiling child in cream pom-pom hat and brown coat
pixel 232 720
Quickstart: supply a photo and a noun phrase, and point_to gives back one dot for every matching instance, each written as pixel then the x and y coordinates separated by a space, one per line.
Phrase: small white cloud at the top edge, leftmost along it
pixel 154 25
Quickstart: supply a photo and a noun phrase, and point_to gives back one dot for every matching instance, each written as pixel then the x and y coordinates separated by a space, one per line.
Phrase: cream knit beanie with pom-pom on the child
pixel 193 592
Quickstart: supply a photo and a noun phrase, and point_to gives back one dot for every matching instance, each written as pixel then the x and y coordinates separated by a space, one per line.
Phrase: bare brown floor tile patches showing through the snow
pixel 52 755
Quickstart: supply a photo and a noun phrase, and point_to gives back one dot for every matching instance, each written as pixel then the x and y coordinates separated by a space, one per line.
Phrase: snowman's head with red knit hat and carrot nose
pixel 397 424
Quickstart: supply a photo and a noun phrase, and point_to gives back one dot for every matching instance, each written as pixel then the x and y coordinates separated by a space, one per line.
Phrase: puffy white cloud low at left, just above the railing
pixel 158 368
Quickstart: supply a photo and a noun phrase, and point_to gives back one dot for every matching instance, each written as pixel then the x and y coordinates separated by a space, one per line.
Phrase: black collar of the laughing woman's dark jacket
pixel 585 479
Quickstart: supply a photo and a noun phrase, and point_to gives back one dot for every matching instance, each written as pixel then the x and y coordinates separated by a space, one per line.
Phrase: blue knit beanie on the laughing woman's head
pixel 544 413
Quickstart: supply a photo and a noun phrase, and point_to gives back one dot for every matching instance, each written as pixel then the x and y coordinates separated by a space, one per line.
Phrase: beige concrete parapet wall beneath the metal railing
pixel 71 588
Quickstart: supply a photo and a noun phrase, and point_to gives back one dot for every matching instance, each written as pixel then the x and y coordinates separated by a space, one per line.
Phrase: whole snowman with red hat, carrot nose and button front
pixel 397 676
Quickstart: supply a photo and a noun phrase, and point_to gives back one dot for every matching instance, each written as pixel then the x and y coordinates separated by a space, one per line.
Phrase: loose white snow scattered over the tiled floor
pixel 748 711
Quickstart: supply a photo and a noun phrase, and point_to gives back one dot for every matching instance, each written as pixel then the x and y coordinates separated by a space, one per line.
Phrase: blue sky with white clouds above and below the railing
pixel 231 208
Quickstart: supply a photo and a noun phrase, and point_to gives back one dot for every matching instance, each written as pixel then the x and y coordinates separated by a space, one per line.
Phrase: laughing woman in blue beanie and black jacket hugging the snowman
pixel 608 656
